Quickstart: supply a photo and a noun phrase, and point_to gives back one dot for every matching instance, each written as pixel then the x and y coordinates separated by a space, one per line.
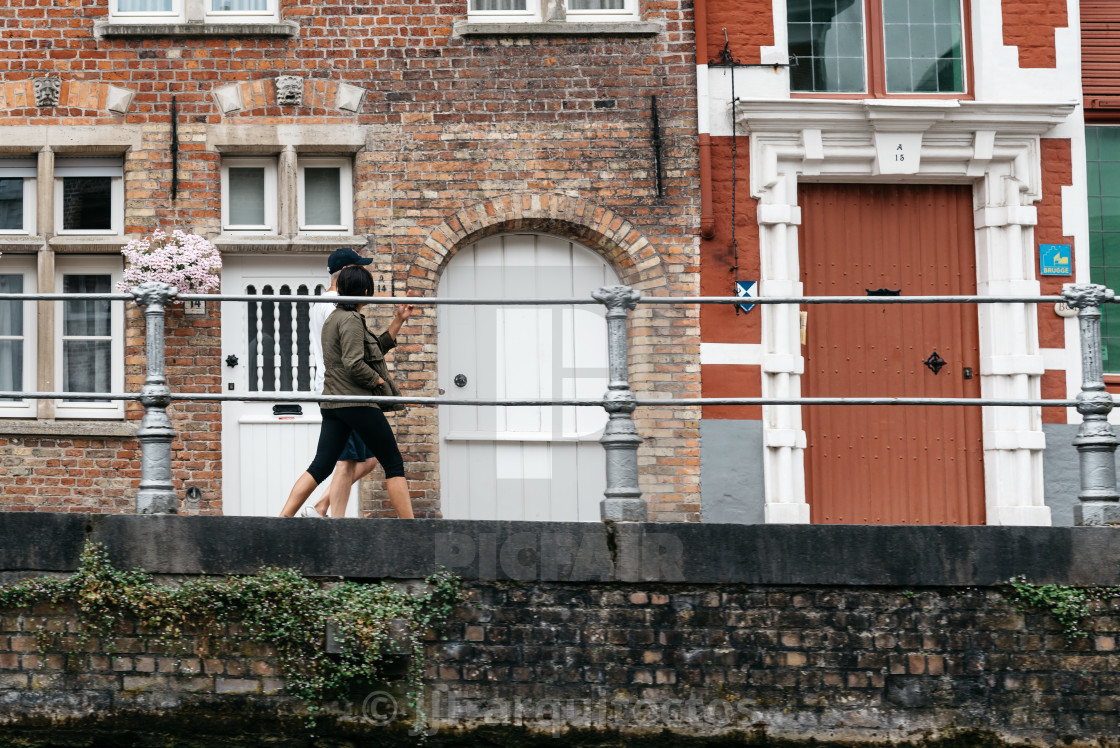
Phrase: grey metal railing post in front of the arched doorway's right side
pixel 623 498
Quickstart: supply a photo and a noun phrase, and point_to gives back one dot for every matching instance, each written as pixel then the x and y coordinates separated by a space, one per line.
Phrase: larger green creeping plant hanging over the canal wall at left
pixel 279 607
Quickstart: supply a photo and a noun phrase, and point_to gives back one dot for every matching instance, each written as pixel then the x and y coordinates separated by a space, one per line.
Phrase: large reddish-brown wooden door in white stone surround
pixel 891 464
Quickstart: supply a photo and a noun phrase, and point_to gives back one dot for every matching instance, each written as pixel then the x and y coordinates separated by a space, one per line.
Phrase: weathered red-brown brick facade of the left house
pixel 453 126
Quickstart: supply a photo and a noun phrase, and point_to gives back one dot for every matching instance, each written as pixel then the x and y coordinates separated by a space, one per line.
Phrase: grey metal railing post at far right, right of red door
pixel 1096 441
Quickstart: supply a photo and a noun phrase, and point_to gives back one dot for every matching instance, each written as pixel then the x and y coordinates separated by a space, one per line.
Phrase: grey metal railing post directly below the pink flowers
pixel 157 492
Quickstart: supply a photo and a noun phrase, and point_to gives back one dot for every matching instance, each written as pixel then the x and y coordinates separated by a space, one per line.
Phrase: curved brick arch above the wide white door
pixel 598 228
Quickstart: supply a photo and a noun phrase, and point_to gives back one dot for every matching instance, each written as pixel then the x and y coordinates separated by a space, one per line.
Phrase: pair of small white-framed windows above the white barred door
pixel 324 197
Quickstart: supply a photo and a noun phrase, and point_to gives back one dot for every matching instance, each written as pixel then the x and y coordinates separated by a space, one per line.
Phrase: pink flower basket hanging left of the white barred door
pixel 186 261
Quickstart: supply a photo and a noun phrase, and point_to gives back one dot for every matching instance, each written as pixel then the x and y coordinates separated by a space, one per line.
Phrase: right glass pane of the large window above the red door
pixel 923 46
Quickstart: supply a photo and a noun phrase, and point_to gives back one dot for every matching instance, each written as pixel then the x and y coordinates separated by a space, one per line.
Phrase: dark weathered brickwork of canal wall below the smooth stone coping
pixel 875 666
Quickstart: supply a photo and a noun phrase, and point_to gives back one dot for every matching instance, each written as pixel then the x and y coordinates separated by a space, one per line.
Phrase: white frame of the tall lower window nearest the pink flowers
pixel 90 266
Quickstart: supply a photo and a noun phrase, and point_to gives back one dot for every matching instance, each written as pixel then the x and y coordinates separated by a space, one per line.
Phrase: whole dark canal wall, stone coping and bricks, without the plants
pixel 590 634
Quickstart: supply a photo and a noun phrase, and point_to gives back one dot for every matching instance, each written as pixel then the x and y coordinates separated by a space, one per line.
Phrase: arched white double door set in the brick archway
pixel 540 463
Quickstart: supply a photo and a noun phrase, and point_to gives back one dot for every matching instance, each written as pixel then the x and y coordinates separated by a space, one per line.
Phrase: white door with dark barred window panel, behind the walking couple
pixel 266 348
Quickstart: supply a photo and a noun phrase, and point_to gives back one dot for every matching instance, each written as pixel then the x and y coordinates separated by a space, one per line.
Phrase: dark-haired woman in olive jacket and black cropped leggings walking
pixel 356 364
